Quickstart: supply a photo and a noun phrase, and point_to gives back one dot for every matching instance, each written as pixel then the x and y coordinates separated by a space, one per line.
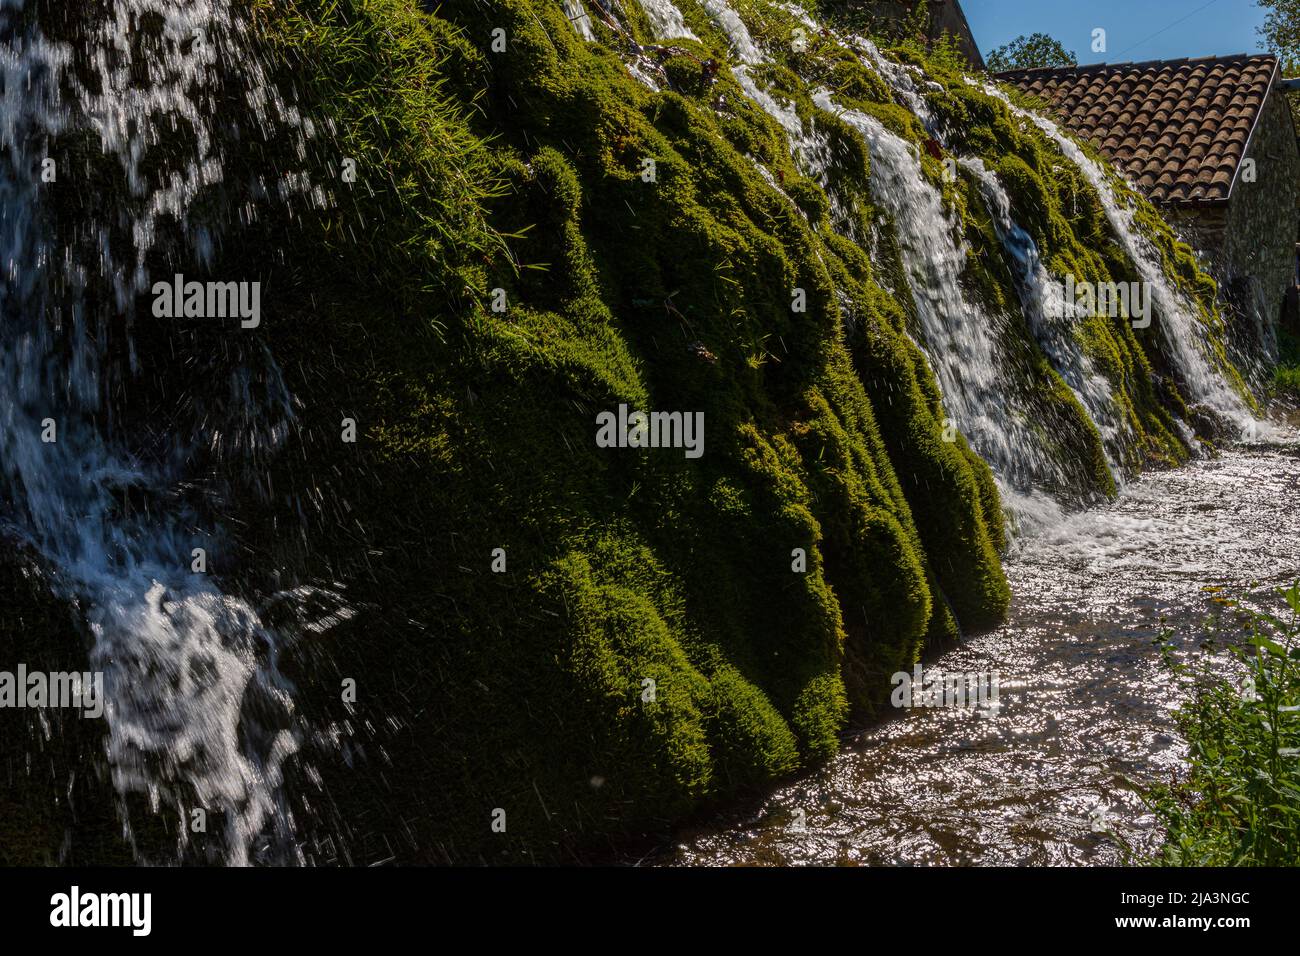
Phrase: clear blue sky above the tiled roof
pixel 1136 29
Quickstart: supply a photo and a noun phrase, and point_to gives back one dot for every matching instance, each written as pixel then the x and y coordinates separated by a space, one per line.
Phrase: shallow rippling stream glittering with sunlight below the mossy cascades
pixel 1085 700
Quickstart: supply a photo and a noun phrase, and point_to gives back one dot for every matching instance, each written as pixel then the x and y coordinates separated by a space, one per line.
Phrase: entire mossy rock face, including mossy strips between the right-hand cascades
pixel 528 612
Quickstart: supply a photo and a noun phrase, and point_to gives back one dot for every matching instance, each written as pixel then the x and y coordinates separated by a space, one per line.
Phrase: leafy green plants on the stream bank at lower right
pixel 1240 804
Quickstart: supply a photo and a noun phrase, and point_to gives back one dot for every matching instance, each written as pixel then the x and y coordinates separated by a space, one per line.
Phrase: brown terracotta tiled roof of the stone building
pixel 1178 128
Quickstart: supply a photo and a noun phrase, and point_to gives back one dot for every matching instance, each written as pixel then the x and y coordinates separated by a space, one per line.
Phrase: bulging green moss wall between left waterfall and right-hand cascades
pixel 623 566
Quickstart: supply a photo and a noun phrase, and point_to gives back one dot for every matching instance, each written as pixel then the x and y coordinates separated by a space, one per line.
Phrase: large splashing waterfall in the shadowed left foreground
pixel 198 715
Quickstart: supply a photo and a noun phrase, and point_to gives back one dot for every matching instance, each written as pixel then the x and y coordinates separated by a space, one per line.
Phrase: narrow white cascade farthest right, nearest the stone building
pixel 1181 327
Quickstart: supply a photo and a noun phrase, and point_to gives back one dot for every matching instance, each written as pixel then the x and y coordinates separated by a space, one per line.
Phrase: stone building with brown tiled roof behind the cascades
pixel 1214 144
